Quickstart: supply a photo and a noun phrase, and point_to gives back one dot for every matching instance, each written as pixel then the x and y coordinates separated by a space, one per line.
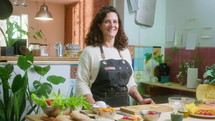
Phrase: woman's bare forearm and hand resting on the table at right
pixel 134 93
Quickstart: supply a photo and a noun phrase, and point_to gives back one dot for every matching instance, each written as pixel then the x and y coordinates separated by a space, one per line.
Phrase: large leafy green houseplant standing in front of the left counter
pixel 13 105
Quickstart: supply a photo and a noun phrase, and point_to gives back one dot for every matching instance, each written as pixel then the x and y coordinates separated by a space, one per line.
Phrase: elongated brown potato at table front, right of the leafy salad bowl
pixel 77 116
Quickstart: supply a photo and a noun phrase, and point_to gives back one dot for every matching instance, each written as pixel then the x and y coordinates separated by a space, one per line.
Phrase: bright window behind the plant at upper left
pixel 22 20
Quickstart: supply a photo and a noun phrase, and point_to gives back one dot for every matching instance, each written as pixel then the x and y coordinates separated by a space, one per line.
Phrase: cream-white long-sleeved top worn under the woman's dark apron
pixel 89 63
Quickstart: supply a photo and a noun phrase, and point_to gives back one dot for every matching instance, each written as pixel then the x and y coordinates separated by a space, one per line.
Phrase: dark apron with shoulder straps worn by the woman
pixel 111 81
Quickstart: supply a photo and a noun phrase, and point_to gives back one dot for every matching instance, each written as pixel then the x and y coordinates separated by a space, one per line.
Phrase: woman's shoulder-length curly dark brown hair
pixel 95 36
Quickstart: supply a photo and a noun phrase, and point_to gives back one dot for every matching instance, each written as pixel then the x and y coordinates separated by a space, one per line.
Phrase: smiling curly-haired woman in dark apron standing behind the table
pixel 104 70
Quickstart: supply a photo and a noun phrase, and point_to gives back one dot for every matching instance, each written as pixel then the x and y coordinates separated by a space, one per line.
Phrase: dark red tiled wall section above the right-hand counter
pixel 206 55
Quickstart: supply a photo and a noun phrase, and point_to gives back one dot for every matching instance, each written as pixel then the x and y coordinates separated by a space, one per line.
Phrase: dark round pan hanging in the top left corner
pixel 6 9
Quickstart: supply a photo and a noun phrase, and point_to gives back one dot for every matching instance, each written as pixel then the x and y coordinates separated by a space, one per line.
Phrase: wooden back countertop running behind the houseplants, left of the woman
pixel 41 60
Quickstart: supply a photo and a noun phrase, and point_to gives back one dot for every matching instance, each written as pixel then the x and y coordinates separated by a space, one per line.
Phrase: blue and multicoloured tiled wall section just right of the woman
pixel 138 57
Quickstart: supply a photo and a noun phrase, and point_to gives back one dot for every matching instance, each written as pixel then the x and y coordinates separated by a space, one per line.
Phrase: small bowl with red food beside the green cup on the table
pixel 150 115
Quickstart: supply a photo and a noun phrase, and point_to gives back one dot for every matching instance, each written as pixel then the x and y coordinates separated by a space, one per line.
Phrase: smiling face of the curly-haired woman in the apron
pixel 109 26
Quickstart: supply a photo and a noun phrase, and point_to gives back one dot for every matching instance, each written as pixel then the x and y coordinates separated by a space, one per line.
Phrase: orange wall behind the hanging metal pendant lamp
pixel 53 30
